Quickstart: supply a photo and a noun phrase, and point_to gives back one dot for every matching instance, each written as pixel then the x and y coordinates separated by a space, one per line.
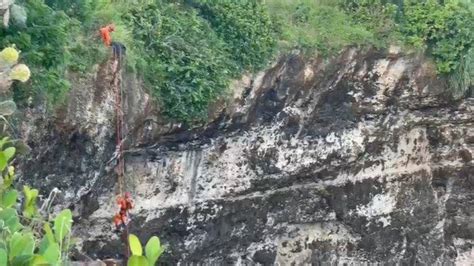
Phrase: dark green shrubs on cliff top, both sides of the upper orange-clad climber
pixel 187 55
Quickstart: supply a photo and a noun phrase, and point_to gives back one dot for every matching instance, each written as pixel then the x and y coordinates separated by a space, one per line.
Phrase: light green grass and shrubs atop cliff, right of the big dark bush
pixel 442 29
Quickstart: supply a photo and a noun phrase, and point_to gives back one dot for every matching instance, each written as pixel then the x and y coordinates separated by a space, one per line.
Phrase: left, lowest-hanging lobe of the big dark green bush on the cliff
pixel 186 65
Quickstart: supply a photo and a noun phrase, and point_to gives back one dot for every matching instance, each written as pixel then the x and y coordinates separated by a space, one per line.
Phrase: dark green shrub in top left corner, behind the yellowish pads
pixel 44 44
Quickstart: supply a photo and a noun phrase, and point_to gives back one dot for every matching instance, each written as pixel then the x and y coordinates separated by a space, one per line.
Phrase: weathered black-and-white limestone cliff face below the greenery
pixel 359 159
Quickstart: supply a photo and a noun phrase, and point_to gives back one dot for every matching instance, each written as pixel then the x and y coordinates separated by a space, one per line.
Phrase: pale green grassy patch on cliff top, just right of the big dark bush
pixel 310 25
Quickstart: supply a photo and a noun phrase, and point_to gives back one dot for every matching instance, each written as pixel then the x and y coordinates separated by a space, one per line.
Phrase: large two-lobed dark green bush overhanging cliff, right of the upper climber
pixel 189 55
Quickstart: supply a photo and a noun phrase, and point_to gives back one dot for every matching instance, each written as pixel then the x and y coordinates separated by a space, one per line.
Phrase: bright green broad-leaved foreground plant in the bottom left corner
pixel 18 234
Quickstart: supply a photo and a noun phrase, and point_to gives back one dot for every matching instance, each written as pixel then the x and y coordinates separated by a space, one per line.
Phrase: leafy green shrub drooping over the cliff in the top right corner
pixel 446 31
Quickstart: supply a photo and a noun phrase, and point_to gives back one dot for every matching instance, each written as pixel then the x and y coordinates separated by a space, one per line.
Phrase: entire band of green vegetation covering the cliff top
pixel 188 51
